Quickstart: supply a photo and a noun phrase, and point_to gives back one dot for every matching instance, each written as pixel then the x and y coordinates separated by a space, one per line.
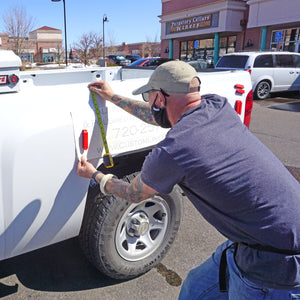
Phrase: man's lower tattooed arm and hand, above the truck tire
pixel 135 191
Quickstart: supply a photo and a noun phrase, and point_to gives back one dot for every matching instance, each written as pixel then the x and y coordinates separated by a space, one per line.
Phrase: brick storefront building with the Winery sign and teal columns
pixel 208 29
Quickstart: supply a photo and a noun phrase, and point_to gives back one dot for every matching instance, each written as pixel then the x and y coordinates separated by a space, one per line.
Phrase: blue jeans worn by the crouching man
pixel 203 282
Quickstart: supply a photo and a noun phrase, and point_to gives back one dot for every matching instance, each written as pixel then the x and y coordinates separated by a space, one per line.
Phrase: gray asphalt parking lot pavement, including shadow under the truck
pixel 61 271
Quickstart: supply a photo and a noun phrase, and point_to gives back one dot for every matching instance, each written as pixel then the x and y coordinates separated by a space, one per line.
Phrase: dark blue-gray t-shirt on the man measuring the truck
pixel 237 184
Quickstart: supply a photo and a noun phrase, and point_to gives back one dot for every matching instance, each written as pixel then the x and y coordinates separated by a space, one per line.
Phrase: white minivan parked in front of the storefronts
pixel 270 71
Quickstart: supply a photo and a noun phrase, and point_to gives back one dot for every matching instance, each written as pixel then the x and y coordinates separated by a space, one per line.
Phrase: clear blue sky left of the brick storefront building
pixel 129 21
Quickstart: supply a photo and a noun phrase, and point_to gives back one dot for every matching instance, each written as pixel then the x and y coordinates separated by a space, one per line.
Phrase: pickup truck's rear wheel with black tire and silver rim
pixel 124 240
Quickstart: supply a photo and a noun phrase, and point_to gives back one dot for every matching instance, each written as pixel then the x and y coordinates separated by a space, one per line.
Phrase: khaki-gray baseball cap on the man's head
pixel 173 76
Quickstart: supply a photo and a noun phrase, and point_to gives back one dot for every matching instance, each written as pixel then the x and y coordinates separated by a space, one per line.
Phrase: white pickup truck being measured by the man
pixel 48 122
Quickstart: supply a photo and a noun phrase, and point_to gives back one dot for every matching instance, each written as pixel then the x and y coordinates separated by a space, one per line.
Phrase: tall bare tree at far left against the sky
pixel 18 25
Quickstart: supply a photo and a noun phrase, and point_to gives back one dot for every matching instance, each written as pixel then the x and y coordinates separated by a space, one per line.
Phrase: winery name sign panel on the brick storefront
pixel 193 23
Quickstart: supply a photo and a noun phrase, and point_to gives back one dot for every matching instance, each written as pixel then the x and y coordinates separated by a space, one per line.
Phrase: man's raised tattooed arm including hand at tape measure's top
pixel 136 108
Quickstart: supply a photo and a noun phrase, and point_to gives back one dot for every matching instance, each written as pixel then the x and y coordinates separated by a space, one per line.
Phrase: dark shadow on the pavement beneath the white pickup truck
pixel 59 267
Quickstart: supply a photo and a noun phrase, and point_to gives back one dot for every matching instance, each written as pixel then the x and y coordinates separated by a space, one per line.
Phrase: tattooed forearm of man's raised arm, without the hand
pixel 136 108
